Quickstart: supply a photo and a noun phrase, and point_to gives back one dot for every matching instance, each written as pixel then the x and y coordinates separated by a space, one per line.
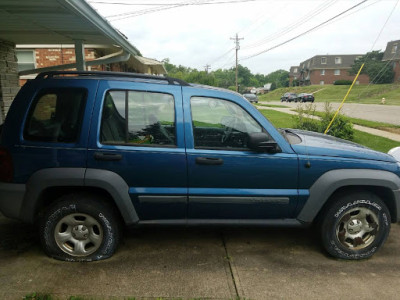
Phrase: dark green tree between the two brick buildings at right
pixel 377 70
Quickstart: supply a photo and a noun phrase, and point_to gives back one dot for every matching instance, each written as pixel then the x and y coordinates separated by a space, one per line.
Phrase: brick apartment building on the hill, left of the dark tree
pixel 326 69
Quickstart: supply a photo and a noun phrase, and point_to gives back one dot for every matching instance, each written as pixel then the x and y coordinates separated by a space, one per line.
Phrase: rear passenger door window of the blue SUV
pixel 138 118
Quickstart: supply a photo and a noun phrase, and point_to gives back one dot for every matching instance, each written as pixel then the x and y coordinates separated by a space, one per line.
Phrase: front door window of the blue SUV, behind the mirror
pixel 221 124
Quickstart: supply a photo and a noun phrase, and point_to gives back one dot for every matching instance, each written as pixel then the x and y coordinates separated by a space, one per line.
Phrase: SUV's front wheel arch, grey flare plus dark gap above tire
pixel 384 184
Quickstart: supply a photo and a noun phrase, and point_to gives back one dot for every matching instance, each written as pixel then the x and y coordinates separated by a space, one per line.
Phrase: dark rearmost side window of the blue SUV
pixel 56 116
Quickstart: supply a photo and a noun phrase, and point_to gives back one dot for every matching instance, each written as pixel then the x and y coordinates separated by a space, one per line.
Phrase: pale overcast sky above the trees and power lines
pixel 197 35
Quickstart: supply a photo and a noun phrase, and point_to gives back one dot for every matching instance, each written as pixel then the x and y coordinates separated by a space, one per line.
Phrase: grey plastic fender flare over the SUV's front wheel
pixel 330 181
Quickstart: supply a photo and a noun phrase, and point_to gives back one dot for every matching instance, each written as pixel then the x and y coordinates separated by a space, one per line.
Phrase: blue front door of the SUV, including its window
pixel 226 179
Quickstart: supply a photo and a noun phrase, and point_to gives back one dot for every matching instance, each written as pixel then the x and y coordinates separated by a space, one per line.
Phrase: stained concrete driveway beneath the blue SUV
pixel 200 263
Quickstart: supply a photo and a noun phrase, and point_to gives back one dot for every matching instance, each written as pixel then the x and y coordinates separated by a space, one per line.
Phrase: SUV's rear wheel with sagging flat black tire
pixel 88 224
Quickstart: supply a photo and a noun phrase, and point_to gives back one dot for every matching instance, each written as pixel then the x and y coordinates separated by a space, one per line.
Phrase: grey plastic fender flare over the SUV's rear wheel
pixel 78 177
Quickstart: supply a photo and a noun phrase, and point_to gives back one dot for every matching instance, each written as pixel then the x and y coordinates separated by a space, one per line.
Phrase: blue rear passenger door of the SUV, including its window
pixel 138 134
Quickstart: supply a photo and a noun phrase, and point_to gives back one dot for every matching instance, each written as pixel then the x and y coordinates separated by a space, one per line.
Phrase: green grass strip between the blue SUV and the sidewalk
pixel 283 120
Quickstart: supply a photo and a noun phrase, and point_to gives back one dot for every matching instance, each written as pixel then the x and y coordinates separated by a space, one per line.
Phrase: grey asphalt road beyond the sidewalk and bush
pixel 373 112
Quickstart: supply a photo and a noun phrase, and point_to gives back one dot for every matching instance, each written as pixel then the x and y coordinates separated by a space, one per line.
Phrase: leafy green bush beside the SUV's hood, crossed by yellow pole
pixel 340 128
